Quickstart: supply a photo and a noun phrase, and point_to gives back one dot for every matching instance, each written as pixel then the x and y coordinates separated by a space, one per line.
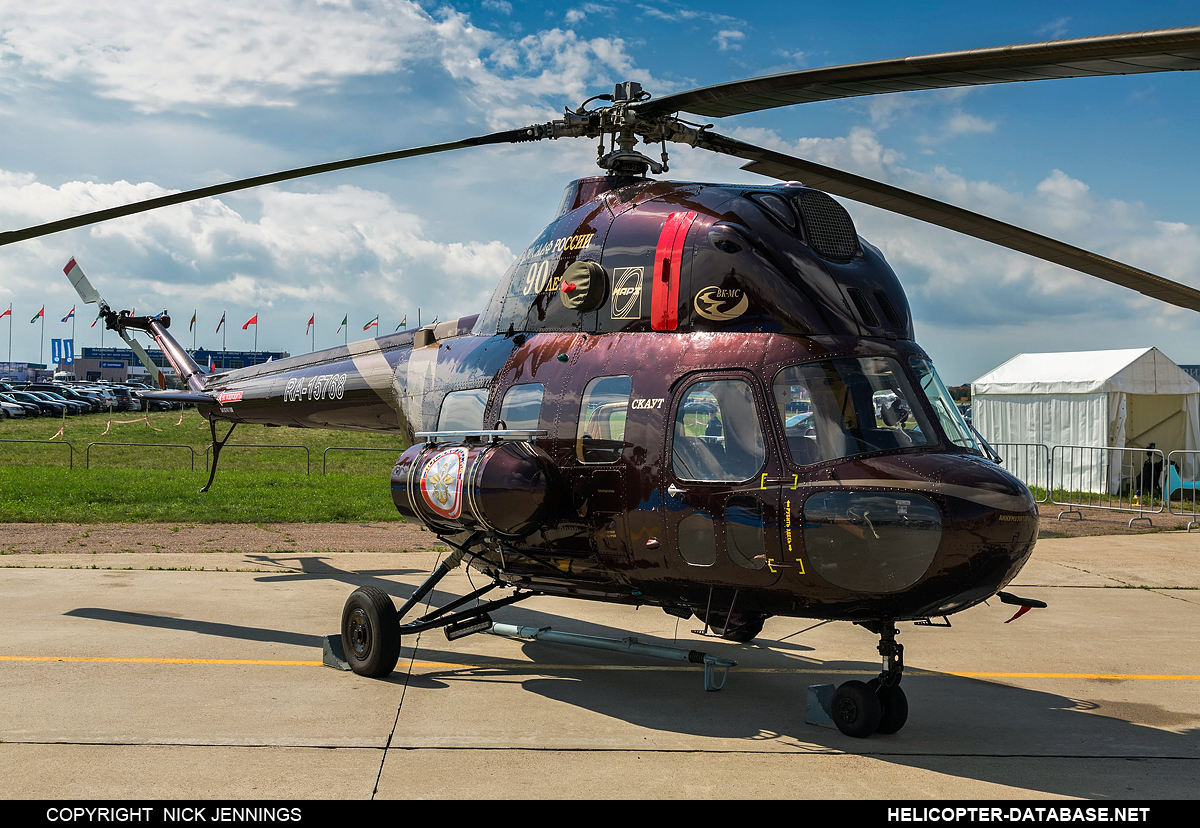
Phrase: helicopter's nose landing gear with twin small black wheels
pixel 880 706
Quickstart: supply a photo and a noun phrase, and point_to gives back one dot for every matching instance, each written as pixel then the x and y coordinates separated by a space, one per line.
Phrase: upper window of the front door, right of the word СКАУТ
pixel 718 435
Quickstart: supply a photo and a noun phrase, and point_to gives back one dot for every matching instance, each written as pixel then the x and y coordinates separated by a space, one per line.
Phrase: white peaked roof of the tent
pixel 1133 371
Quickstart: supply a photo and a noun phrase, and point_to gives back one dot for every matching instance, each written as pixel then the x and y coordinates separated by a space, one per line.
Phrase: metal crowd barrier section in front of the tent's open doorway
pixel 1107 478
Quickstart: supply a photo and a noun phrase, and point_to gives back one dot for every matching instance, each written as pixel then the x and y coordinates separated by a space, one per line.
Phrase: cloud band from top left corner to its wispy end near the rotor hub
pixel 160 57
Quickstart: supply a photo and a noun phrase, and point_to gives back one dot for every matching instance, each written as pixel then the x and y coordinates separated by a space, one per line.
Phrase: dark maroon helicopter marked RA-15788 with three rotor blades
pixel 701 398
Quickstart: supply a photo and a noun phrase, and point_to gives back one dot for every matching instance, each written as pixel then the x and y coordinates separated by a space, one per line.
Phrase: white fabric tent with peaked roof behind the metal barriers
pixel 1118 399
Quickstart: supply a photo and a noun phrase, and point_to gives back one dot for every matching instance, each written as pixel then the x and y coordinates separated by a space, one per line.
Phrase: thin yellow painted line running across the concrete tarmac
pixel 530 667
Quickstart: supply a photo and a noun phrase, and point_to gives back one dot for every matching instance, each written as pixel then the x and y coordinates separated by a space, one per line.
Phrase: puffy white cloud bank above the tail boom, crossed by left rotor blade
pixel 344 248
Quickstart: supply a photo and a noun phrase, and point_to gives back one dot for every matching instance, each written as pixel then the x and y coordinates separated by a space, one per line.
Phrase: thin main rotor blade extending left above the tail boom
pixel 11 237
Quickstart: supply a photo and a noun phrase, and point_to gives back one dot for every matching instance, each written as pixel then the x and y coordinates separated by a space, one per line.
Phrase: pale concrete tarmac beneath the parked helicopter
pixel 199 676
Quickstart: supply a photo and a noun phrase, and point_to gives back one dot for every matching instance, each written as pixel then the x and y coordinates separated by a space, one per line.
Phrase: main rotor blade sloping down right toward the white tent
pixel 895 200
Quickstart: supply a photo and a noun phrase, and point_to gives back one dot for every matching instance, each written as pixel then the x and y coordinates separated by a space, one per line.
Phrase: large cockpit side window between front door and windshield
pixel 844 407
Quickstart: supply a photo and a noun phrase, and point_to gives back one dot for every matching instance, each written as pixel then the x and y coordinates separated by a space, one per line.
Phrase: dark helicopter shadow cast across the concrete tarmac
pixel 964 728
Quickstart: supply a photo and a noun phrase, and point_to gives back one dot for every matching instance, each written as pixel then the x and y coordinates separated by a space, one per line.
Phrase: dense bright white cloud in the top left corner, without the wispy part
pixel 160 56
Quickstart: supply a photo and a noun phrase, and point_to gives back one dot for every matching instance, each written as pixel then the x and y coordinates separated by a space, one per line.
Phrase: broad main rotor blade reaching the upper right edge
pixel 1137 52
